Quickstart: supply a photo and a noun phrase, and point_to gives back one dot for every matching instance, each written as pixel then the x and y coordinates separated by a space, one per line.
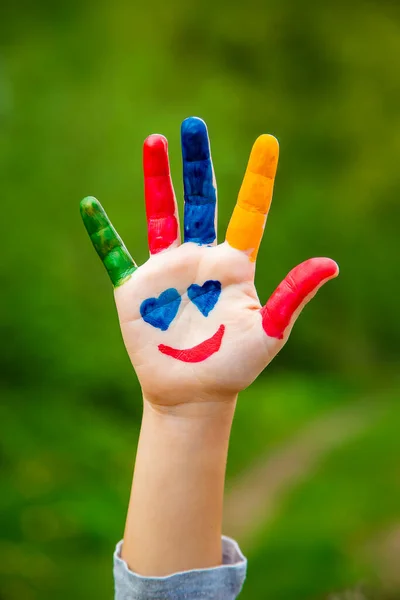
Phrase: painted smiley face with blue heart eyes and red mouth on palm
pixel 160 312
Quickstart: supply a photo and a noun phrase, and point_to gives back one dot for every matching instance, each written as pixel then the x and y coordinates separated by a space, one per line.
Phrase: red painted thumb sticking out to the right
pixel 294 292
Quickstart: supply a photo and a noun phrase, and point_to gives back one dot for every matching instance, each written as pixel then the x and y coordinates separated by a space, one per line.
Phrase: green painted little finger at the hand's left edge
pixel 106 241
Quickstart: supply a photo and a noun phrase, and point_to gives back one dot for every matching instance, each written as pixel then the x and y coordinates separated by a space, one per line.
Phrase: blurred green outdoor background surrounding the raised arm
pixel 314 469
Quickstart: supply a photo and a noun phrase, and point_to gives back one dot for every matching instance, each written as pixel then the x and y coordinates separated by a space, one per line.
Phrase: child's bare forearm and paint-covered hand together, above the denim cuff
pixel 175 510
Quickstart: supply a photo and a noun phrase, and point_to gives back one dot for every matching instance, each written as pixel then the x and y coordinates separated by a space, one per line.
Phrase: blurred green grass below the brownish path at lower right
pixel 322 537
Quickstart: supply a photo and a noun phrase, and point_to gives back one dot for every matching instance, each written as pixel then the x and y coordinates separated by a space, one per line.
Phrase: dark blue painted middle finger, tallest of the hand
pixel 199 184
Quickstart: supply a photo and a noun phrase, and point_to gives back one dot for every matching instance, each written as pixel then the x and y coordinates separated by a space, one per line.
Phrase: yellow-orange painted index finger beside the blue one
pixel 247 223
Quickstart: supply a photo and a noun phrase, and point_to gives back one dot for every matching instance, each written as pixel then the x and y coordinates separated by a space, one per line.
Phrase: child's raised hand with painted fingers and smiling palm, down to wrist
pixel 190 317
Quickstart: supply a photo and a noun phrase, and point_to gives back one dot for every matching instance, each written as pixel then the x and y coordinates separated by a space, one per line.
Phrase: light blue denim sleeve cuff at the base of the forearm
pixel 219 583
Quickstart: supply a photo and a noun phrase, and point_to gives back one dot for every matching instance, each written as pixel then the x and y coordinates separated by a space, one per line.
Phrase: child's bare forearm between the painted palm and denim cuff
pixel 175 511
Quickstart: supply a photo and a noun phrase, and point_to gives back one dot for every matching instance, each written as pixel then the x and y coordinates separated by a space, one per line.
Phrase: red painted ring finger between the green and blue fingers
pixel 161 208
